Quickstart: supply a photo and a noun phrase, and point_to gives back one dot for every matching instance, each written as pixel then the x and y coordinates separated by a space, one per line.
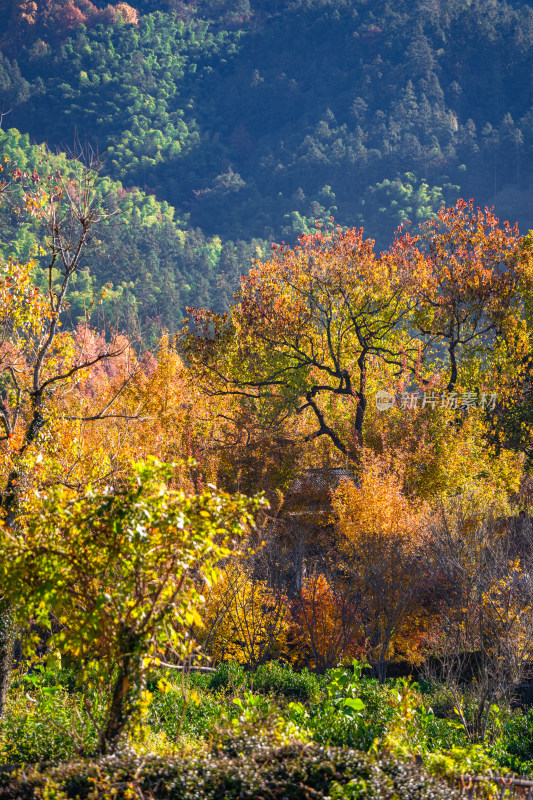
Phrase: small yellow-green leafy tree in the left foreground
pixel 122 575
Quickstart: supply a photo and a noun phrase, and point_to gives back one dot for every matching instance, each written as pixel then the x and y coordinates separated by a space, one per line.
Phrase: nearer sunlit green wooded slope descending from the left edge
pixel 152 264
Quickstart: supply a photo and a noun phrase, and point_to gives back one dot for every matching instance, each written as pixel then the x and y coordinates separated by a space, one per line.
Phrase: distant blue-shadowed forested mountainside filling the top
pixel 255 119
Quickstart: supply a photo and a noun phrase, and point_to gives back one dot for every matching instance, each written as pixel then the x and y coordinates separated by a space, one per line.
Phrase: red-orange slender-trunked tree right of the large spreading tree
pixel 468 297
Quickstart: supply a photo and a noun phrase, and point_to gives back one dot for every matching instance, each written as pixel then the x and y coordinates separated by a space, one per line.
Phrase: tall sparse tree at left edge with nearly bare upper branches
pixel 40 365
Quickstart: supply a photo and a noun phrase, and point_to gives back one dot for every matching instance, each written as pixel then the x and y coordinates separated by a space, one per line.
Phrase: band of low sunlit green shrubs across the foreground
pixel 234 712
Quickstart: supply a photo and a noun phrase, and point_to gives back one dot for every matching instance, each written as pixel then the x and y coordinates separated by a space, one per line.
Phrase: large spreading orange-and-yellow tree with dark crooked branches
pixel 311 325
